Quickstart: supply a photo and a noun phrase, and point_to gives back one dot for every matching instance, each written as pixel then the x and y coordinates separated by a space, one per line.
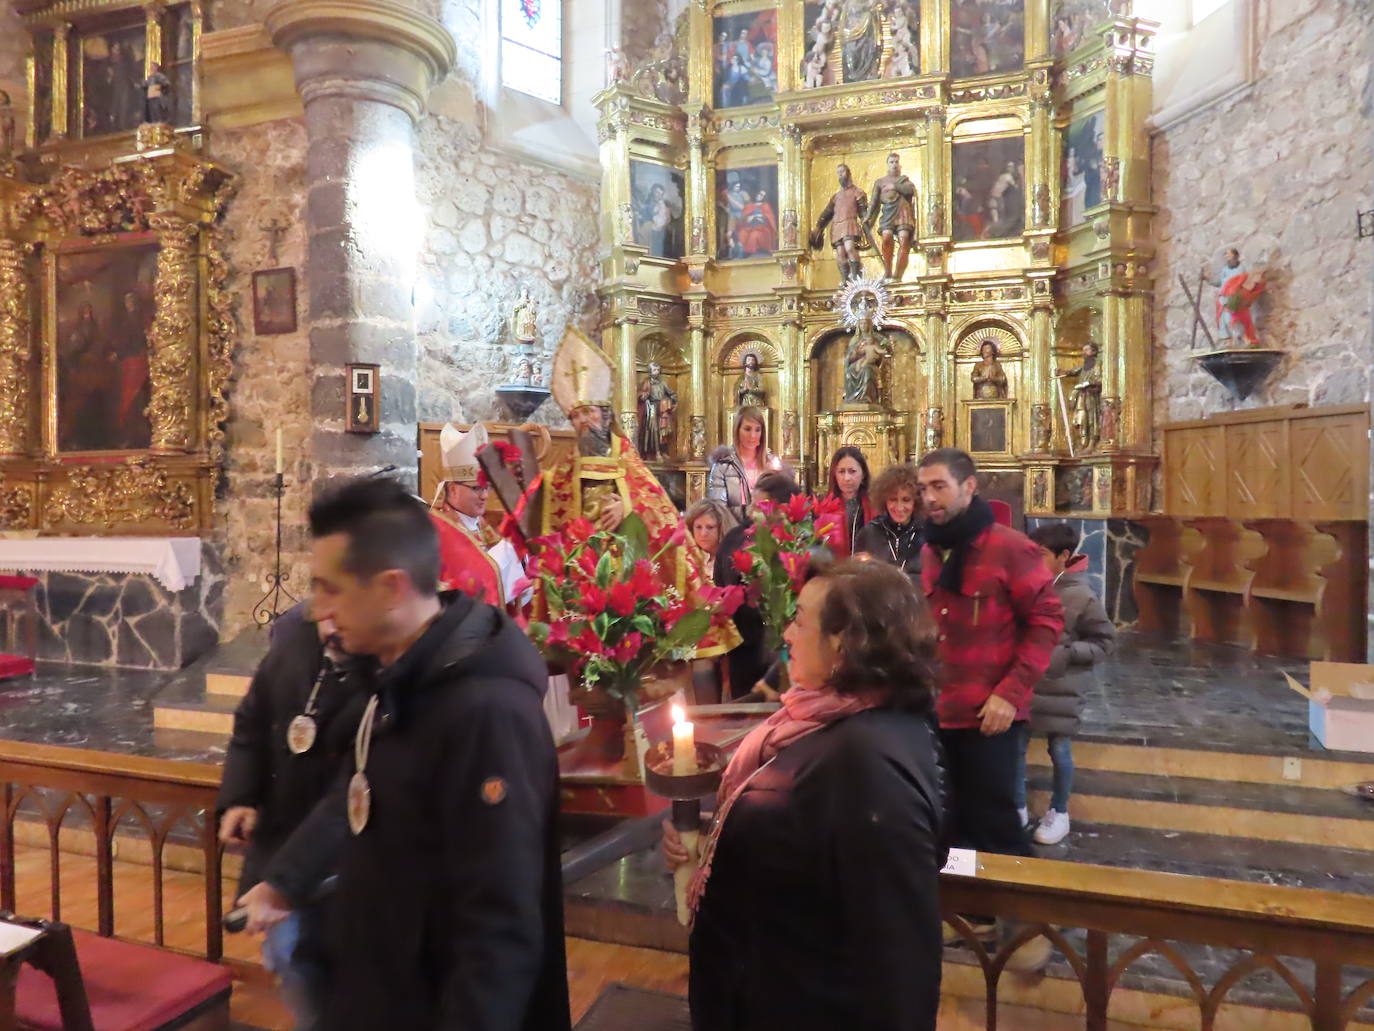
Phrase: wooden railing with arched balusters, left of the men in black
pixel 67 790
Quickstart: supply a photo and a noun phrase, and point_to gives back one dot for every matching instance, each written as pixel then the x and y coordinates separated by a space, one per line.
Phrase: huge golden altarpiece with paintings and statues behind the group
pixel 1019 328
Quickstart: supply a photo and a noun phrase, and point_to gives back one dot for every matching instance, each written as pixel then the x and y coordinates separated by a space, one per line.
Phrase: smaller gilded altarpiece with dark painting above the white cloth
pixel 116 325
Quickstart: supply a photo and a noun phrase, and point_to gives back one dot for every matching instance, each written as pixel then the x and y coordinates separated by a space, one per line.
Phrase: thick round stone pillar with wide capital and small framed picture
pixel 363 72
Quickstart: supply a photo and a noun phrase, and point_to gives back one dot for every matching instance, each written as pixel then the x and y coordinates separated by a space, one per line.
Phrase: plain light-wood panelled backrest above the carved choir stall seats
pixel 1288 464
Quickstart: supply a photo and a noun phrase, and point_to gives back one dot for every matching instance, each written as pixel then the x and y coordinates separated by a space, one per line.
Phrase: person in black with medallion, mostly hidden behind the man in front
pixel 291 733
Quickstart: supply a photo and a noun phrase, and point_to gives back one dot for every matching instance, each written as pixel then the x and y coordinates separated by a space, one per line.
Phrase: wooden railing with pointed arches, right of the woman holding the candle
pixel 1270 926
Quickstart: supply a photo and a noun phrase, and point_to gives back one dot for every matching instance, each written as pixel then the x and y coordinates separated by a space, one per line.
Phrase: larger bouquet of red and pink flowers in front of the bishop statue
pixel 613 606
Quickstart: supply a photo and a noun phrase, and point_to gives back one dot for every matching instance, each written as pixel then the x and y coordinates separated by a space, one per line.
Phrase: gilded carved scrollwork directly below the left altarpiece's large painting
pixel 137 491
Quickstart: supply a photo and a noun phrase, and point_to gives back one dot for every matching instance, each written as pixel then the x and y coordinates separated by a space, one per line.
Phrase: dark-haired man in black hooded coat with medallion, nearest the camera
pixel 449 907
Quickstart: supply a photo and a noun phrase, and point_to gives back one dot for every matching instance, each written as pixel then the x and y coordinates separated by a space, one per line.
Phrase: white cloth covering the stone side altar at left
pixel 174 563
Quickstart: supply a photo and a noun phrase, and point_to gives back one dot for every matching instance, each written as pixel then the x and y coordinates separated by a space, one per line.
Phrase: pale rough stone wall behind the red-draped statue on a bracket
pixel 1279 171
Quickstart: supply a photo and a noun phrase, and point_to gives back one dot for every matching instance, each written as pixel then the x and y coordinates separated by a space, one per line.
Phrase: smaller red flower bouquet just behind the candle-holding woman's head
pixel 776 555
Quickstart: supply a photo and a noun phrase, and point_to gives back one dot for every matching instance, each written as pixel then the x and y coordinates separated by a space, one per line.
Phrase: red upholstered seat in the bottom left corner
pixel 131 988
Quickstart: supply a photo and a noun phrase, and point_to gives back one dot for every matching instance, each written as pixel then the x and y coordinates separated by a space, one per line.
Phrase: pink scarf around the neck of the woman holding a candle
pixel 804 711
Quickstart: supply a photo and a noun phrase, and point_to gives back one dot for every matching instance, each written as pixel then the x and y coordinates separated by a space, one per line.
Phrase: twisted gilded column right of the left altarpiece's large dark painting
pixel 172 342
